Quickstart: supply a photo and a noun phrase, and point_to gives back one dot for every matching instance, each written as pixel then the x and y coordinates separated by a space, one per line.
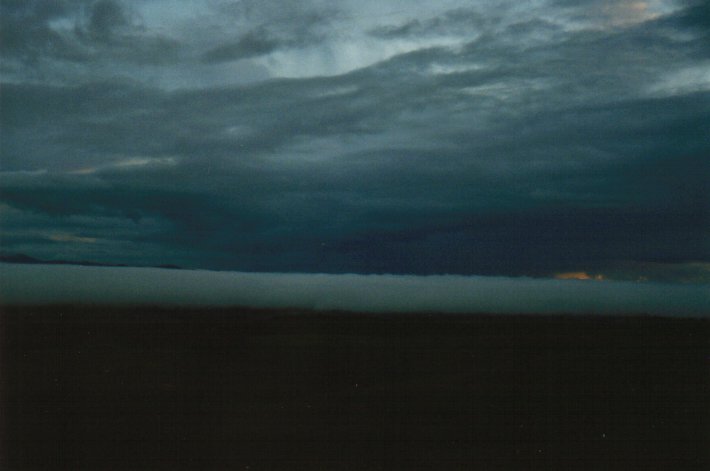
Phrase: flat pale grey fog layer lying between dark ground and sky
pixel 37 284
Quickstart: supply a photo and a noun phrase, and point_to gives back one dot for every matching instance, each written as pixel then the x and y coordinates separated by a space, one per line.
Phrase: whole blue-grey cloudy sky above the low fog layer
pixel 546 138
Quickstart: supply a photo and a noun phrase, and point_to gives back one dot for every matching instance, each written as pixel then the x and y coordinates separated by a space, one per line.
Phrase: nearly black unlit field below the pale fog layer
pixel 128 389
